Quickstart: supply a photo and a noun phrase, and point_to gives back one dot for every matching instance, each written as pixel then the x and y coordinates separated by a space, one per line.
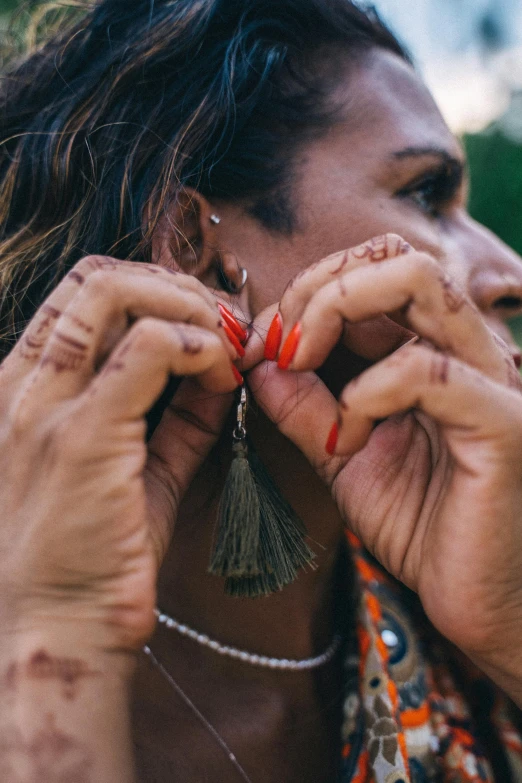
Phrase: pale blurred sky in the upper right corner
pixel 469 51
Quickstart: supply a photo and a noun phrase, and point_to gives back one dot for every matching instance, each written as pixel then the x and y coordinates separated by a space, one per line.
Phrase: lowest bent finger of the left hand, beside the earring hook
pixel 137 371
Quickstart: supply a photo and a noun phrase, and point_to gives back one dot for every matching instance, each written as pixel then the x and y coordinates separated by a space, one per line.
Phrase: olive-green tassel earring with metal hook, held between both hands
pixel 260 541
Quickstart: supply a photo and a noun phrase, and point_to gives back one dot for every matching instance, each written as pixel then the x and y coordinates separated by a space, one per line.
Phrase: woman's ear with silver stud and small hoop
pixel 187 239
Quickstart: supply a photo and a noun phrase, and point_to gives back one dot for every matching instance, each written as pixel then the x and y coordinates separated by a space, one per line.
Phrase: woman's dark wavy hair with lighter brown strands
pixel 133 100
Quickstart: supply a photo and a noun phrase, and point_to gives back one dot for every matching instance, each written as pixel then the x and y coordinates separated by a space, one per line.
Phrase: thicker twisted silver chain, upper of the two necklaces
pixel 283 664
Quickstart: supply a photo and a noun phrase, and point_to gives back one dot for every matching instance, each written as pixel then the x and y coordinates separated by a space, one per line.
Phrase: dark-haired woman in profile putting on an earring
pixel 246 153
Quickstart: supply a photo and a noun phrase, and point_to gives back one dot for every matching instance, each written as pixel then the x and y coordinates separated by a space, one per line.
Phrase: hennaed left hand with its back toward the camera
pixel 87 507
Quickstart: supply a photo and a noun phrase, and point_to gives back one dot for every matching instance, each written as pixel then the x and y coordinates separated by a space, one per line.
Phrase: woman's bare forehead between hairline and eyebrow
pixel 386 108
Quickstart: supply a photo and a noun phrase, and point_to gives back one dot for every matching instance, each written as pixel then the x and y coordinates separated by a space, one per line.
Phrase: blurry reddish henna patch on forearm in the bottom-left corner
pixel 49 756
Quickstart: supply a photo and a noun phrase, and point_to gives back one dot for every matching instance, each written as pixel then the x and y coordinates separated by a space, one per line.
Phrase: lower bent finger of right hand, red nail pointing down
pixel 454 394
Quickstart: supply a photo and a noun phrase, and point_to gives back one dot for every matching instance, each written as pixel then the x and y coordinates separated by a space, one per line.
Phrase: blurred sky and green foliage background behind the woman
pixel 470 53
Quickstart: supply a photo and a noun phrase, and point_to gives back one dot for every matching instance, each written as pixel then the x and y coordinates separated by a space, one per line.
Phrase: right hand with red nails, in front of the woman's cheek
pixel 435 489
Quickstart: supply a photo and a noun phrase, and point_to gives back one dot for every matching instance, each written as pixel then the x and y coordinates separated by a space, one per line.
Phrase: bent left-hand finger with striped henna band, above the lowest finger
pixel 99 315
